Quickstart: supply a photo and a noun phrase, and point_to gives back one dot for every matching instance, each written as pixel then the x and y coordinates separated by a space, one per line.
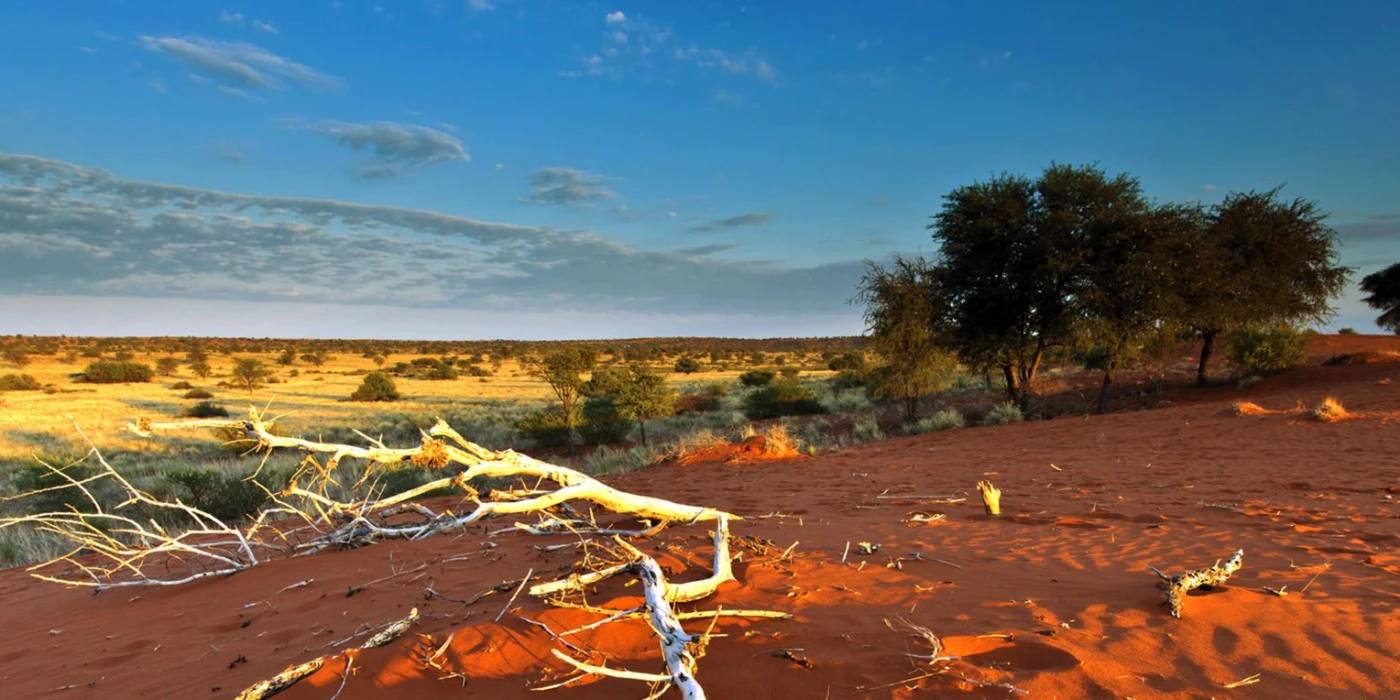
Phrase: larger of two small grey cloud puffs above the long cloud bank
pixel 393 148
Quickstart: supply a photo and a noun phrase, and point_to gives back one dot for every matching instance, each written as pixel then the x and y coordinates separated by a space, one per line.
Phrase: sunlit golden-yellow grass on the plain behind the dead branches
pixel 310 398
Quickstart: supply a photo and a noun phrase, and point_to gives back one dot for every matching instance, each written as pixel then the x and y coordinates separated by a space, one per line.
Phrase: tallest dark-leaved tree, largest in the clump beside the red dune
pixel 1013 258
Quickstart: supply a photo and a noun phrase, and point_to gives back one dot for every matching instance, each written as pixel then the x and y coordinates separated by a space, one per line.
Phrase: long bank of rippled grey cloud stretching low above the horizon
pixel 73 230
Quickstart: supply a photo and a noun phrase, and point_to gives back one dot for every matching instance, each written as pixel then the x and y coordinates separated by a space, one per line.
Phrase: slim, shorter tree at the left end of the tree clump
pixel 902 317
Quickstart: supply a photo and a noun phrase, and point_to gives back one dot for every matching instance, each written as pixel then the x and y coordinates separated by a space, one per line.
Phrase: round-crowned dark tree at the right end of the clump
pixel 1256 261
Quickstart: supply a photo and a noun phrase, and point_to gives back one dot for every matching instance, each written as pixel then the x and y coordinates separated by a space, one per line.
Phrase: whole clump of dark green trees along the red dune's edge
pixel 1080 260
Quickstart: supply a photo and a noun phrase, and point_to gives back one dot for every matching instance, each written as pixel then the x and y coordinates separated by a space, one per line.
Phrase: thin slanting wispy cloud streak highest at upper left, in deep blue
pixel 240 65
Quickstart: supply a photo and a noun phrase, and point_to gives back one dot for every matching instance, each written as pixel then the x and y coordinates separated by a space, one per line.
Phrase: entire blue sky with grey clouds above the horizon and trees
pixel 530 169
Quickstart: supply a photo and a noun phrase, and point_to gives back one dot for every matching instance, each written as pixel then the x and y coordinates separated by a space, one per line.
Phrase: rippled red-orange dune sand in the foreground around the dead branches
pixel 1053 597
